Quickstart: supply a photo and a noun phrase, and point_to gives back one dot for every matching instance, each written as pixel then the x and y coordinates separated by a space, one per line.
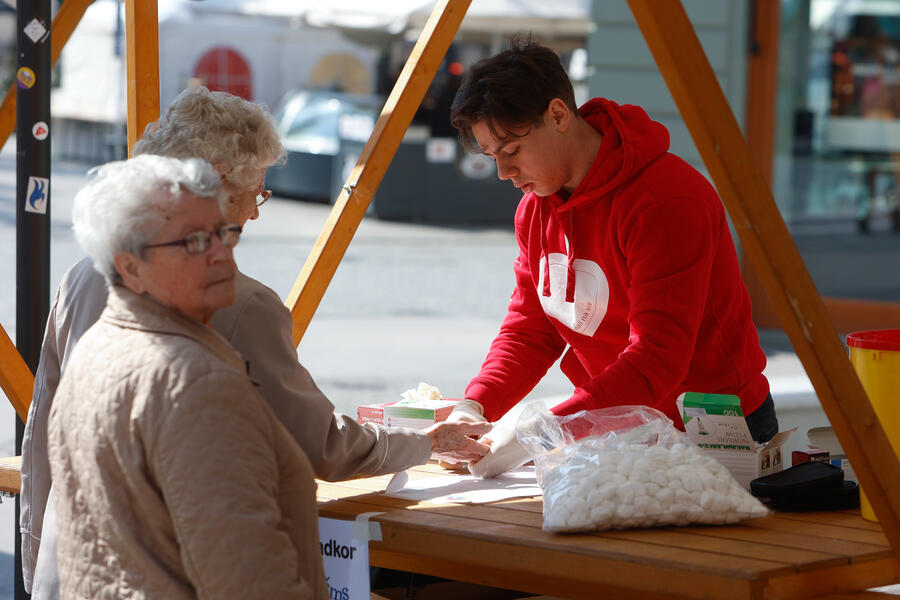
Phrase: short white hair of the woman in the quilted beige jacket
pixel 121 208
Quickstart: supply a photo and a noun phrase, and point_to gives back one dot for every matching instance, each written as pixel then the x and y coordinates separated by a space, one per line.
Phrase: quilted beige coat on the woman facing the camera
pixel 173 478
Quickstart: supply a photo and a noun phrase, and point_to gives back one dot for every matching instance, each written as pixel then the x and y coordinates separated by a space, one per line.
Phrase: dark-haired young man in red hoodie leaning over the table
pixel 626 265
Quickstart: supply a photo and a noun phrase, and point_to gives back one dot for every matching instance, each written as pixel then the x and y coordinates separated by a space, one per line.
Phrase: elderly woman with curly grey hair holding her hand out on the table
pixel 239 139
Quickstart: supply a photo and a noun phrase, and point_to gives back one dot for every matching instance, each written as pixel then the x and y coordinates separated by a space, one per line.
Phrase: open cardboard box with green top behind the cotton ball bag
pixel 715 423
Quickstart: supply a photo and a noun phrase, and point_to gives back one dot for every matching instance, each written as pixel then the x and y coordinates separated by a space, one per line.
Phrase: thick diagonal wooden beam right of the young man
pixel 768 243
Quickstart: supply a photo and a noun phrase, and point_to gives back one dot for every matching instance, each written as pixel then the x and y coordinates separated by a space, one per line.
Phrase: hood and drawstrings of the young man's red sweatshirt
pixel 631 141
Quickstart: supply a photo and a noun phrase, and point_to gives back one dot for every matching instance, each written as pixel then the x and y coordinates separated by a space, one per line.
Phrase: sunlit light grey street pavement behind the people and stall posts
pixel 408 303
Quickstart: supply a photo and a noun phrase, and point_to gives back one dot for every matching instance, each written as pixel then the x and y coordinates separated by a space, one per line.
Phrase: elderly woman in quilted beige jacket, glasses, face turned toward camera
pixel 173 478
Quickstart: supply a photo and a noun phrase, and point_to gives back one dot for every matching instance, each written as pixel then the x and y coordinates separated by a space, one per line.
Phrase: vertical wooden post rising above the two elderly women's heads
pixel 142 65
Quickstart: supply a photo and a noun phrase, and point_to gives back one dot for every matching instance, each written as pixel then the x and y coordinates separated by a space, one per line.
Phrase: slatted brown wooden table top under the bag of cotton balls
pixel 786 556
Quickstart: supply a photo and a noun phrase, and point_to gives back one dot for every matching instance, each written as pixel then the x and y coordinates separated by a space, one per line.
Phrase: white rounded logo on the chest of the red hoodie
pixel 591 294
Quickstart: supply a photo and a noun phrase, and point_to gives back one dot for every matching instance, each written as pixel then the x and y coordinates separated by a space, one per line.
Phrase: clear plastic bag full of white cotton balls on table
pixel 627 466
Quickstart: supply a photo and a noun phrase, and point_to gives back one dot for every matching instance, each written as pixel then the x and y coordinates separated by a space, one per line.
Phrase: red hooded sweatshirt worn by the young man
pixel 637 274
